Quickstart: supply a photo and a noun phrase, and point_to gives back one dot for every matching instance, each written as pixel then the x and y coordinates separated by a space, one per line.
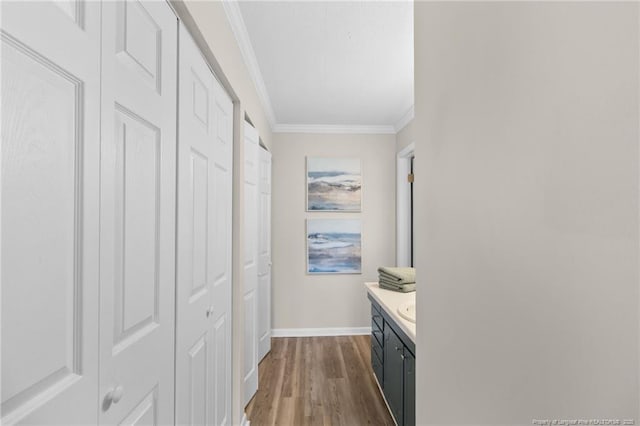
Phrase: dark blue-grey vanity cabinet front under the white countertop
pixel 393 362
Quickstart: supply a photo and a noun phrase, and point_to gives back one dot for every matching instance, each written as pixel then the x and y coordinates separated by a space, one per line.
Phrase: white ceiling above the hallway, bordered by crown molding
pixel 344 65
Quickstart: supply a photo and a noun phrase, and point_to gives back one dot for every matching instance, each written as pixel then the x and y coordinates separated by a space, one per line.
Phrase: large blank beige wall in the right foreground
pixel 527 239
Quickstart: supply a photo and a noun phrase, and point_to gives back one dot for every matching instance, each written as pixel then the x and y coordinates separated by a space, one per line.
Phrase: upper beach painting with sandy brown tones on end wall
pixel 334 184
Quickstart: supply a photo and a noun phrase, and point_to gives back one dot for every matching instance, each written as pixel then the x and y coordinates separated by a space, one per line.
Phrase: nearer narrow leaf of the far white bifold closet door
pixel 250 263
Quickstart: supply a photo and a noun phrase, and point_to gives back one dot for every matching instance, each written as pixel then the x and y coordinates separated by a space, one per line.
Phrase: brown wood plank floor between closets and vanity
pixel 318 381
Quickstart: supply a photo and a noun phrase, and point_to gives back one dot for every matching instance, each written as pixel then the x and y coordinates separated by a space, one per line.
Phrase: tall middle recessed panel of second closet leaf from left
pixel 137 187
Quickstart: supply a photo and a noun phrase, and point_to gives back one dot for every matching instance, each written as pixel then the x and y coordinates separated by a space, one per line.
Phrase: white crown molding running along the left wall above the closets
pixel 239 29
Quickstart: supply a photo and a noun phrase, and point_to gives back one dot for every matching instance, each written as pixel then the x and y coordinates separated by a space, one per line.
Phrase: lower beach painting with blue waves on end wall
pixel 334 246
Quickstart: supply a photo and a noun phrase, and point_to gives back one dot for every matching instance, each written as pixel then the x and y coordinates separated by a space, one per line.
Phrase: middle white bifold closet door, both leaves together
pixel 205 155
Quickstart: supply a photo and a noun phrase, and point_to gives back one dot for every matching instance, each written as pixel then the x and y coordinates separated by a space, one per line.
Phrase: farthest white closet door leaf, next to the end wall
pixel 264 254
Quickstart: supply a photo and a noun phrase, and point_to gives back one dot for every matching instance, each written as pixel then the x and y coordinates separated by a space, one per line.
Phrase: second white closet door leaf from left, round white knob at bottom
pixel 137 233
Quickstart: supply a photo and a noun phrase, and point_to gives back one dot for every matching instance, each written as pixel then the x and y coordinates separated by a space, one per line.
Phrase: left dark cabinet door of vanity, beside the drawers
pixel 393 373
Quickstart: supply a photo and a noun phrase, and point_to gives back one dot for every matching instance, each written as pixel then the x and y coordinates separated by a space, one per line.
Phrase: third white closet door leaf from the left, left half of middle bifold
pixel 195 195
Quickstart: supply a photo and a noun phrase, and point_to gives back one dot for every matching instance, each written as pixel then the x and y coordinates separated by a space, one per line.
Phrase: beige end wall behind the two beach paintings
pixel 328 301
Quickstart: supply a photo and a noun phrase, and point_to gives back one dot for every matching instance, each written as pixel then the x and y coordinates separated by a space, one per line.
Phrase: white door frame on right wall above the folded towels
pixel 403 206
